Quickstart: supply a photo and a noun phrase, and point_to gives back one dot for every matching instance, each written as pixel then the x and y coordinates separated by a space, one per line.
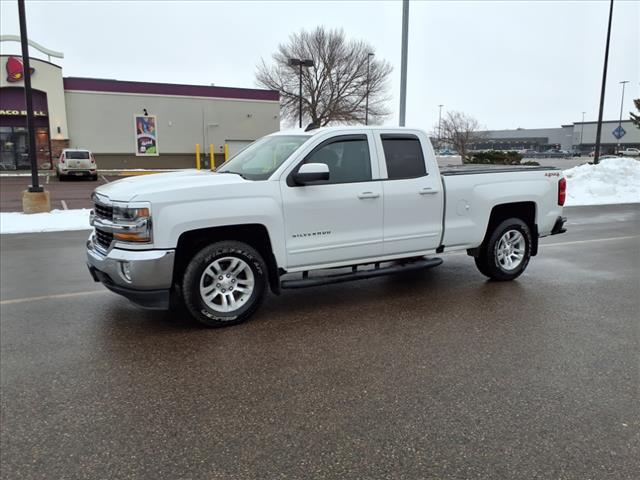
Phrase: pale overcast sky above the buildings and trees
pixel 507 63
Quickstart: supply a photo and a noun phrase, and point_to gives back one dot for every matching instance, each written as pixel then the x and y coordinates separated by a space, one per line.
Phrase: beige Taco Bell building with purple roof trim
pixel 126 124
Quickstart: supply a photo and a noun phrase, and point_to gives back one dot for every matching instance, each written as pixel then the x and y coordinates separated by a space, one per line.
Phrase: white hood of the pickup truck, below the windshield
pixel 144 187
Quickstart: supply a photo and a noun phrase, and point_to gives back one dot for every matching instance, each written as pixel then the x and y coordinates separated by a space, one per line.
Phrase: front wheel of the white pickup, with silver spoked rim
pixel 238 268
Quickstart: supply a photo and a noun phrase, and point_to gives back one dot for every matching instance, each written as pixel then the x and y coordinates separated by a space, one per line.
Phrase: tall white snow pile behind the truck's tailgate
pixel 613 180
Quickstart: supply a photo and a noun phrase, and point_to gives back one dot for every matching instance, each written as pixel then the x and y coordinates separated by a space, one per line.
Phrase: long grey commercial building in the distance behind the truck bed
pixel 579 136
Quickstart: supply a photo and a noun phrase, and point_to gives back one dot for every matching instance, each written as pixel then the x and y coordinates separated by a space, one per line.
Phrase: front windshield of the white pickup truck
pixel 263 157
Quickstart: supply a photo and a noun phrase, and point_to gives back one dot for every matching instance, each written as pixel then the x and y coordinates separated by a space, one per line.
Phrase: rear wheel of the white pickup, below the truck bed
pixel 506 253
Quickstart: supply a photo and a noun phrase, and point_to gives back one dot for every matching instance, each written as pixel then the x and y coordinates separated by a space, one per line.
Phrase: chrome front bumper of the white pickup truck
pixel 142 276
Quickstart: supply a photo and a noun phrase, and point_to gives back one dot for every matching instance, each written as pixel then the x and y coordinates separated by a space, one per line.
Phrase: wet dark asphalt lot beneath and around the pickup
pixel 436 374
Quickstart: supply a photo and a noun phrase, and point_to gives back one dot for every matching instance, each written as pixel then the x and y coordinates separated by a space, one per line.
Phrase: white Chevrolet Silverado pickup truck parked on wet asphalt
pixel 299 209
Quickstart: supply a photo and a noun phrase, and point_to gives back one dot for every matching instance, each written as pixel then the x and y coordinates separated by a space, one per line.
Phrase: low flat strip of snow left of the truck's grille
pixel 56 220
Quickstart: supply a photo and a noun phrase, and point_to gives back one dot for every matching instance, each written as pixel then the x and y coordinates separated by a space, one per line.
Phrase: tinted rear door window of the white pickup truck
pixel 403 156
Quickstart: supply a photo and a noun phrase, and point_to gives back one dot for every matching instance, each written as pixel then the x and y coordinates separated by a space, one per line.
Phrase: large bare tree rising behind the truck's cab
pixel 335 90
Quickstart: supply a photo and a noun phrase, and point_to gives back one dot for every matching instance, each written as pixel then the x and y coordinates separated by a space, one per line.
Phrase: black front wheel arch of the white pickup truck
pixel 255 235
